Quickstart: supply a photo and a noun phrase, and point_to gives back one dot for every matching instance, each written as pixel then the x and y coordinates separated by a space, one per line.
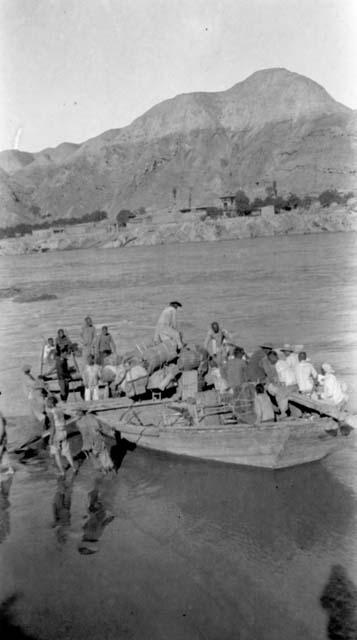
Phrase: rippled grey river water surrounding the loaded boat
pixel 169 547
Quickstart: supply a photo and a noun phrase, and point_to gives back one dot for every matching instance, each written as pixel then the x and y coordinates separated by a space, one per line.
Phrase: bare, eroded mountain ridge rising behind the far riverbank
pixel 274 126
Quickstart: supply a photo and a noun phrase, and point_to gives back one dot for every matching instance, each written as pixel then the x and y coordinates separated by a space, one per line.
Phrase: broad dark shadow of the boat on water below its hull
pixel 268 511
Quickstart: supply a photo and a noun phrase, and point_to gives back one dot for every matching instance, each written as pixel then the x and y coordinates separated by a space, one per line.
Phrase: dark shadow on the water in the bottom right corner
pixel 339 599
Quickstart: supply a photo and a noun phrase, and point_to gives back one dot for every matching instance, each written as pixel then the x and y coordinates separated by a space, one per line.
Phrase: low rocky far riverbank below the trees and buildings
pixel 191 228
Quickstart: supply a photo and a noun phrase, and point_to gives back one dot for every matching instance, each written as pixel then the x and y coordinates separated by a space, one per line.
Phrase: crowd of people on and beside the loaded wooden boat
pixel 274 372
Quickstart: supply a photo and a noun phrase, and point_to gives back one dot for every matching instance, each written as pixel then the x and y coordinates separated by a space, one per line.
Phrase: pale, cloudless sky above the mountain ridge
pixel 71 69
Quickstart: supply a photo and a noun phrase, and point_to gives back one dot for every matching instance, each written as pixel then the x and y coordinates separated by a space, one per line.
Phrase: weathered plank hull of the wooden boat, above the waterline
pixel 273 445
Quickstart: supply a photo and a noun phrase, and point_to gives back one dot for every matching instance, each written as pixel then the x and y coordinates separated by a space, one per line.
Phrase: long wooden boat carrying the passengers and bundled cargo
pixel 210 431
